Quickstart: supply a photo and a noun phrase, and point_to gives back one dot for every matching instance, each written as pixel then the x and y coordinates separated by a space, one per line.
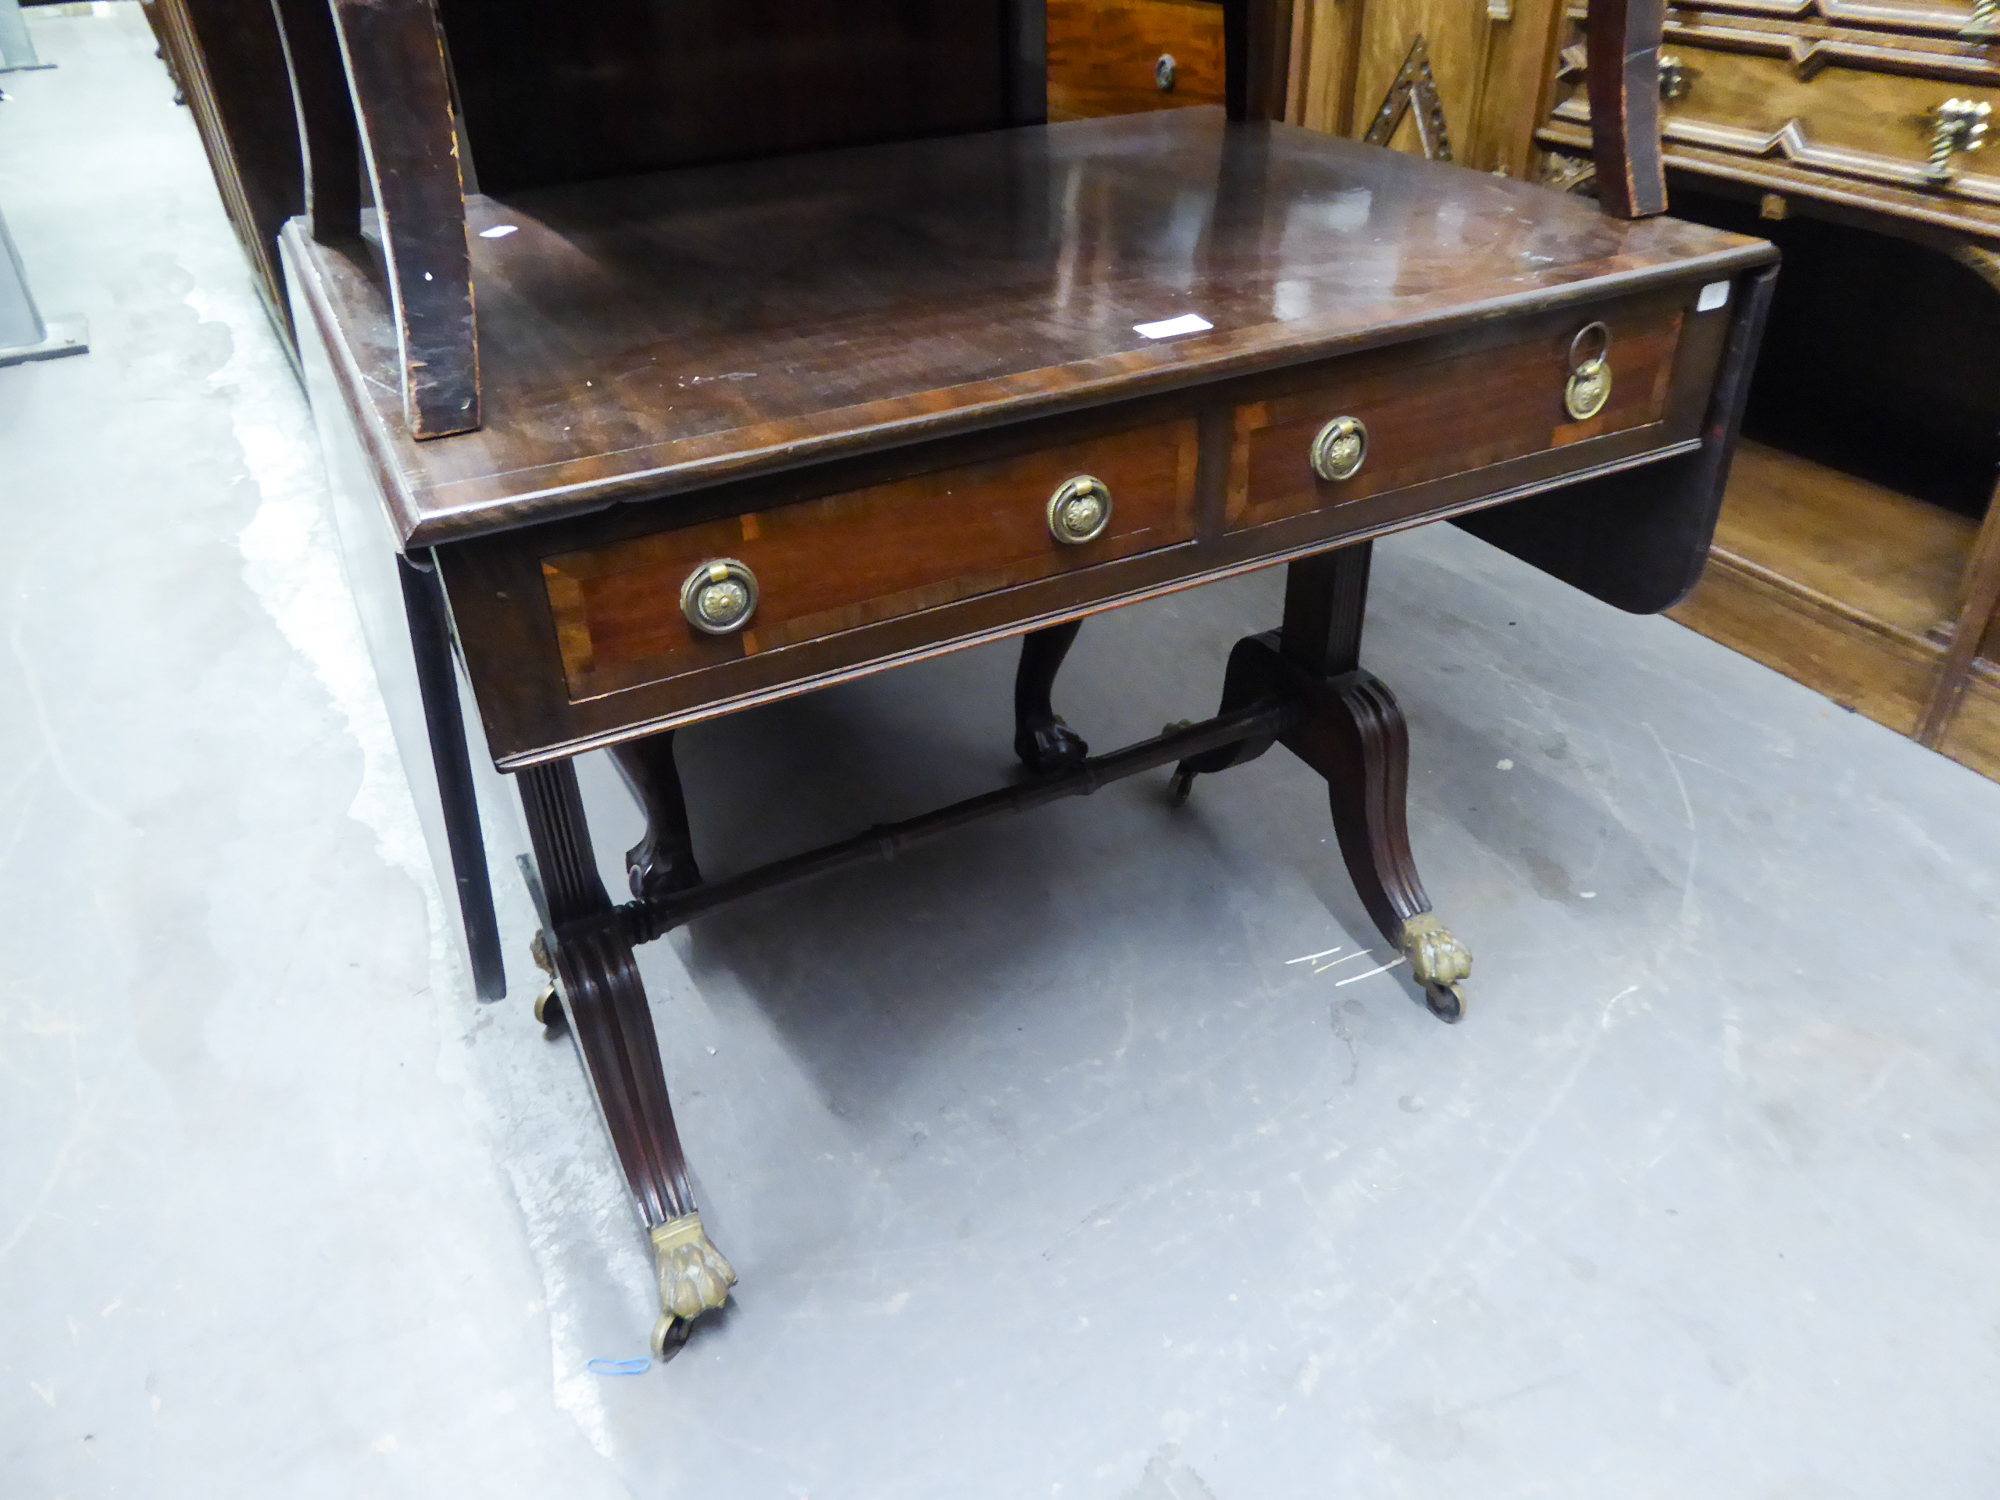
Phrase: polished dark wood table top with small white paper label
pixel 651 335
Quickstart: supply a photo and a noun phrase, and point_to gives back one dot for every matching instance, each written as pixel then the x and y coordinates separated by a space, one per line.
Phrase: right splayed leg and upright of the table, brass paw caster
pixel 1357 739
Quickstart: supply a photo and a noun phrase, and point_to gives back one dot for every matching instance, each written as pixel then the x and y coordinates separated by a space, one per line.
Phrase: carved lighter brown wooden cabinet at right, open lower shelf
pixel 1861 545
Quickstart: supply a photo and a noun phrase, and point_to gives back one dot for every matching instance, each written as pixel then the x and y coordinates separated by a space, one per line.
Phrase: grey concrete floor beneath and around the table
pixel 1045 1169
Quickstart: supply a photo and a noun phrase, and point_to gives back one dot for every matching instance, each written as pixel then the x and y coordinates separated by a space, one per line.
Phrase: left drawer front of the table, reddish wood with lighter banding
pixel 855 559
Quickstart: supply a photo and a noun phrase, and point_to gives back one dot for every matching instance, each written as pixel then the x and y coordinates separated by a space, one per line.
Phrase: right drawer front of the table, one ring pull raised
pixel 1435 419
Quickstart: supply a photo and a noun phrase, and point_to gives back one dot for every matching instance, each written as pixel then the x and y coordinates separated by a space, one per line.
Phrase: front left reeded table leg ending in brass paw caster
pixel 607 1015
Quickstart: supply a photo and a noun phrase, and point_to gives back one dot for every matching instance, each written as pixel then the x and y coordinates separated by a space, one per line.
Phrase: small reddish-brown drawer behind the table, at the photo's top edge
pixel 1105 55
